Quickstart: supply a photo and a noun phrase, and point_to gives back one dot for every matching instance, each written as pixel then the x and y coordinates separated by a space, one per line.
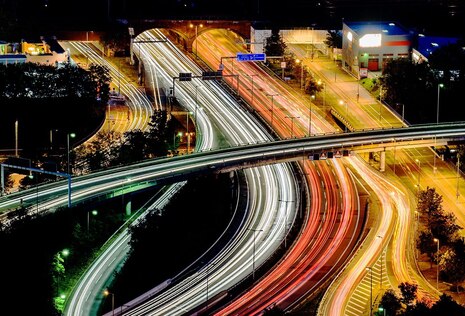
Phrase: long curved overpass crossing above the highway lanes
pixel 178 168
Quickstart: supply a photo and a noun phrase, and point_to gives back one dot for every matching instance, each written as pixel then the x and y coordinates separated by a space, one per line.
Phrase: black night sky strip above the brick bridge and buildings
pixel 429 15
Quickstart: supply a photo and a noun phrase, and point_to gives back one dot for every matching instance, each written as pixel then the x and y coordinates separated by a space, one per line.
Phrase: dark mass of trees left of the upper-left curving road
pixel 41 97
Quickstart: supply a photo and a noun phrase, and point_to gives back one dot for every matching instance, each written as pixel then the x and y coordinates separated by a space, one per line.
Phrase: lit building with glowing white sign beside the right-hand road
pixel 367 46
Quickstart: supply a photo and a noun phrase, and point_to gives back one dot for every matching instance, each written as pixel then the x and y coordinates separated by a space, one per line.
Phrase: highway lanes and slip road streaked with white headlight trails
pixel 238 128
